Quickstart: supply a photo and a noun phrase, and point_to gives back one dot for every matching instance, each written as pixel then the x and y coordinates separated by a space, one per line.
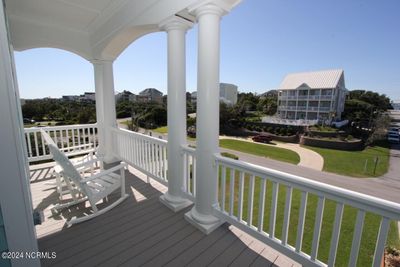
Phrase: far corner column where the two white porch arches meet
pixel 105 107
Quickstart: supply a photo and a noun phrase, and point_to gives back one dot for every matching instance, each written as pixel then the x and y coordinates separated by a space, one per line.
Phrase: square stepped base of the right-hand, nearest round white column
pixel 205 223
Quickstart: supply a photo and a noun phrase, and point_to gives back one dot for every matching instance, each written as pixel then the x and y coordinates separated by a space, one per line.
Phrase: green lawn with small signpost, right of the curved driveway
pixel 352 163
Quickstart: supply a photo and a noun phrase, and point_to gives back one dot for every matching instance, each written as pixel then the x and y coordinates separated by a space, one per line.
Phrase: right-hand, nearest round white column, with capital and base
pixel 207 128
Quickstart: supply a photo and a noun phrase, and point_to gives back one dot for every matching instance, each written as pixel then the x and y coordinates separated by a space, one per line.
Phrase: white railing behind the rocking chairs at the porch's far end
pixel 72 139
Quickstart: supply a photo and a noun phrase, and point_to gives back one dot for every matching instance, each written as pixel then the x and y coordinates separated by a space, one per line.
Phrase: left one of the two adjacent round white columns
pixel 176 29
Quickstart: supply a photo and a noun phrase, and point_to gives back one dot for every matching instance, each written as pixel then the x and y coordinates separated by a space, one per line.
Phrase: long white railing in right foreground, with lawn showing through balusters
pixel 250 197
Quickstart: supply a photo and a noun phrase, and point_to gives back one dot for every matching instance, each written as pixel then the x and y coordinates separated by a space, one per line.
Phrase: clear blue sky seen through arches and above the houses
pixel 261 41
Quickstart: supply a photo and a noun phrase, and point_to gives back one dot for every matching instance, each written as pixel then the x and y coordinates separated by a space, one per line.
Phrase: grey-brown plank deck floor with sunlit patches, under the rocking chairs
pixel 139 232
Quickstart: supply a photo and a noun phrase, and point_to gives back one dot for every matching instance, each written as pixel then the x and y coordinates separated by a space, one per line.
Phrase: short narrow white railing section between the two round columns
pixel 189 163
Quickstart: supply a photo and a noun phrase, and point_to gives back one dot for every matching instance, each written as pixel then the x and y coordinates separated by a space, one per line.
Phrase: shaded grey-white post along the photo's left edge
pixel 15 195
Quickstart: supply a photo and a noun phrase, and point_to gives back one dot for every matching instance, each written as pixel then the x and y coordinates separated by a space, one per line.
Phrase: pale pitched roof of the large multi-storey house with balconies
pixel 314 79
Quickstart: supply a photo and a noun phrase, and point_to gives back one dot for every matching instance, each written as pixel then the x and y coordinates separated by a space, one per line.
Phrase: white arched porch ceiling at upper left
pixel 93 29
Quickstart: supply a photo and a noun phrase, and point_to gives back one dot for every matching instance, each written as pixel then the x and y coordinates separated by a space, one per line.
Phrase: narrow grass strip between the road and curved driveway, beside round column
pixel 272 152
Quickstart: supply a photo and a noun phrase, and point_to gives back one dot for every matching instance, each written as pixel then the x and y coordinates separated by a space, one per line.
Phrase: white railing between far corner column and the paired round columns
pixel 145 153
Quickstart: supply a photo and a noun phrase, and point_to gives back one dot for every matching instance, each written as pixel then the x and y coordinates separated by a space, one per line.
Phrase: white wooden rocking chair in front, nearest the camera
pixel 93 188
